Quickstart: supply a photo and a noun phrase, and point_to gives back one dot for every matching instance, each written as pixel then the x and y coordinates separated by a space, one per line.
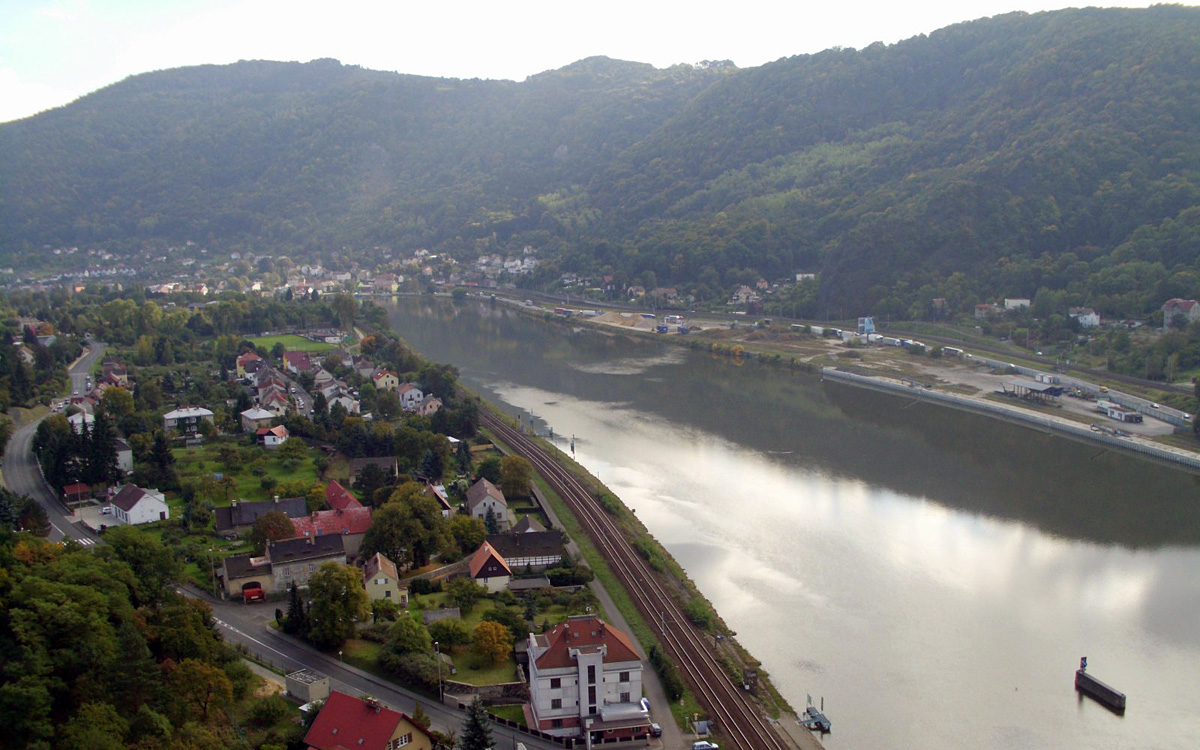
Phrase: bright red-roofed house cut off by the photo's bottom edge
pixel 347 723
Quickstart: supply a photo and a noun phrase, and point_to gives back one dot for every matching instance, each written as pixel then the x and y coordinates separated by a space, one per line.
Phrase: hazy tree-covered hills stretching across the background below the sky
pixel 1055 153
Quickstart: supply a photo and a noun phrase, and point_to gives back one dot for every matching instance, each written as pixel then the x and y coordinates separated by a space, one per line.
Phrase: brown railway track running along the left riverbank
pixel 739 718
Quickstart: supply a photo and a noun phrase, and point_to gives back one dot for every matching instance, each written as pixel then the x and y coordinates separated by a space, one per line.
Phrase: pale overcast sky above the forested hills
pixel 53 52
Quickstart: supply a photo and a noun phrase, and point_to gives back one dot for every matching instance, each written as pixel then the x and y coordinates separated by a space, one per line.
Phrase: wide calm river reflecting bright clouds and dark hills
pixel 933 575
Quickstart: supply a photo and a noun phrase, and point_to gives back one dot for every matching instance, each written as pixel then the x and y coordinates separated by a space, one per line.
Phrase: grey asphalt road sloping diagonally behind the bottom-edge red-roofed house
pixel 247 625
